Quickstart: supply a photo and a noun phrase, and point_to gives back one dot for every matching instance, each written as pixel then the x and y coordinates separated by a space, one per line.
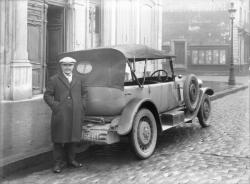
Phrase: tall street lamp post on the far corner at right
pixel 231 11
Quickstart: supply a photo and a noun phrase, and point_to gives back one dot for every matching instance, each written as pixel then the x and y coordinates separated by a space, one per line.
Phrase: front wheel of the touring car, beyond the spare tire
pixel 204 111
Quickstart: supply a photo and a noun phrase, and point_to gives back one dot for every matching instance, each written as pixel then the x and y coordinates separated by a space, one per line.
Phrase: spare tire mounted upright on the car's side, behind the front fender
pixel 191 92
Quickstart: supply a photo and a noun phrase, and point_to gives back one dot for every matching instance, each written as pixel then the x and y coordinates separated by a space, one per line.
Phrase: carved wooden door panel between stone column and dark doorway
pixel 35 43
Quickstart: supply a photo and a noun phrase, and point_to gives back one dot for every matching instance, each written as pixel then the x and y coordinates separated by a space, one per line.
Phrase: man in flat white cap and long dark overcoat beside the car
pixel 65 94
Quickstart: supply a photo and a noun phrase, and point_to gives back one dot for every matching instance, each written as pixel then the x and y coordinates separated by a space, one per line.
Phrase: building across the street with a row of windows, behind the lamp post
pixel 199 33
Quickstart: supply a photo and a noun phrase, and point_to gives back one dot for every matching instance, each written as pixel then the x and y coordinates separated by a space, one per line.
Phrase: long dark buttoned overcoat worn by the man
pixel 67 102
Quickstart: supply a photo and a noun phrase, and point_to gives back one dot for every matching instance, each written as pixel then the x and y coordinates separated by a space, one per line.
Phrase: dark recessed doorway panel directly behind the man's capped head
pixel 55 37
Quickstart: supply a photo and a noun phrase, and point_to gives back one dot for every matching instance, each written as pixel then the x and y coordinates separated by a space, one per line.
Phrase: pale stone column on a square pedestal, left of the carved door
pixel 21 69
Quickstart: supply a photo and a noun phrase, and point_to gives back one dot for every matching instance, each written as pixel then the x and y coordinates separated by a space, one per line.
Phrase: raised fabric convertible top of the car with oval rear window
pixel 108 63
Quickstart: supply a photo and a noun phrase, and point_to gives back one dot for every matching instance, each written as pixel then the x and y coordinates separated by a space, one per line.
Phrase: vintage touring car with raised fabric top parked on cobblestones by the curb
pixel 142 106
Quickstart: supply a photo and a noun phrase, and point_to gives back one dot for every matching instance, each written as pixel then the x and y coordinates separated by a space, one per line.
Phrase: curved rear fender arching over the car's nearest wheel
pixel 129 112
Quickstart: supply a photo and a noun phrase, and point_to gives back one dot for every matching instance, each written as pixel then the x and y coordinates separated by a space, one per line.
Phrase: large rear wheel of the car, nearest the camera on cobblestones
pixel 143 136
